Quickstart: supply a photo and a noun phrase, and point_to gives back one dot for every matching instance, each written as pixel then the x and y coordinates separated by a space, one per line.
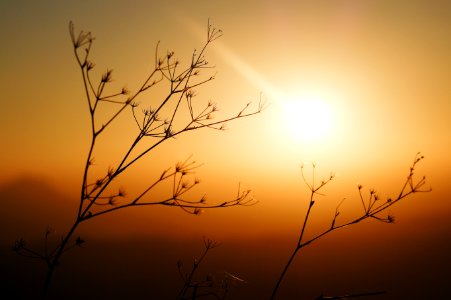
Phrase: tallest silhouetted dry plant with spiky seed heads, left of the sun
pixel 176 113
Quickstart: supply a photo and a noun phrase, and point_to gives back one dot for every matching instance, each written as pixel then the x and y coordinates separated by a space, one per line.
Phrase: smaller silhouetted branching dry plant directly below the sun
pixel 373 207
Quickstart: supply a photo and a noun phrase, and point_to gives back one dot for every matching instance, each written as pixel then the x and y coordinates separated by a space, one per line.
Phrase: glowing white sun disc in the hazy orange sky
pixel 307 118
